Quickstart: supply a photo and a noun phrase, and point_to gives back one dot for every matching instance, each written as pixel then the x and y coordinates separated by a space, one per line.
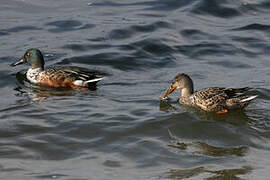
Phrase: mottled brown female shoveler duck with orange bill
pixel 213 99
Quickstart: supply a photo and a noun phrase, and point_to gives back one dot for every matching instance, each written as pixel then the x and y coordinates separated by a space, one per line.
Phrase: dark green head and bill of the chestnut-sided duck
pixel 32 56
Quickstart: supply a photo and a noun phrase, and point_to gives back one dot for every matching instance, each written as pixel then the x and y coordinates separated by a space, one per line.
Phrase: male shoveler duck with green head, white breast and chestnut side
pixel 65 77
